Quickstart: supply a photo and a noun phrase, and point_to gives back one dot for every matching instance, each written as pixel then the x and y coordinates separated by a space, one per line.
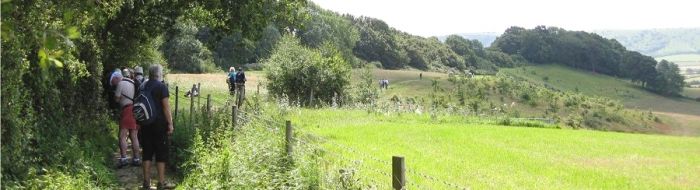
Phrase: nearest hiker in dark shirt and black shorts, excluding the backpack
pixel 154 137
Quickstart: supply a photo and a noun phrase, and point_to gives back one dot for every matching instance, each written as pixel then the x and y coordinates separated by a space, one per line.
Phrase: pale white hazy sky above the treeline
pixel 440 17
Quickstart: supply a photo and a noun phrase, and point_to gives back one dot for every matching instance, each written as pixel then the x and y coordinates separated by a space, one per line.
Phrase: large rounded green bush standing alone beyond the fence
pixel 306 75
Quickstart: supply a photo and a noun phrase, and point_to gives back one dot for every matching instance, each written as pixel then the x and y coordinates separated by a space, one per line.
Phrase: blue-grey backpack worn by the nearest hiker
pixel 145 109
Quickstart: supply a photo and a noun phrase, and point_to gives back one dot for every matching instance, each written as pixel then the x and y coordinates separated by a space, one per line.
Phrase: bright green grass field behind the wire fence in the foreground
pixel 487 157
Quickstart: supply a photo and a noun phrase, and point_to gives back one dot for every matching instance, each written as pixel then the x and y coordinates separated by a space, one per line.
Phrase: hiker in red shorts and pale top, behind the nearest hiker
pixel 124 94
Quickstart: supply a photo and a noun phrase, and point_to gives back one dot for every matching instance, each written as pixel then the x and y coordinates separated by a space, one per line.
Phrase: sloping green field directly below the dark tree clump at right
pixel 631 95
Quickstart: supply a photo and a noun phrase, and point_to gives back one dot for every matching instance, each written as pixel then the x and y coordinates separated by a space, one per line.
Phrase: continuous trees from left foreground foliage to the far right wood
pixel 57 54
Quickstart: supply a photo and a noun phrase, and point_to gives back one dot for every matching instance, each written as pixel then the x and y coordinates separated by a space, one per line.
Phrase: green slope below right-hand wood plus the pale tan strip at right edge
pixel 680 114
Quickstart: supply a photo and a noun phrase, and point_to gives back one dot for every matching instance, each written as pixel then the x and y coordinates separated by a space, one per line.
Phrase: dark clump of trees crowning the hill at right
pixel 587 51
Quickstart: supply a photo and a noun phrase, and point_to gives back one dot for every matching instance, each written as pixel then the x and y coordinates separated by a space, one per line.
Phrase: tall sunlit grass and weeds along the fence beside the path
pixel 252 155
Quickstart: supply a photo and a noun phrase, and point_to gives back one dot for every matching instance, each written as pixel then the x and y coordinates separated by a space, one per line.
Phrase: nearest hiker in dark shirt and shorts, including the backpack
pixel 156 124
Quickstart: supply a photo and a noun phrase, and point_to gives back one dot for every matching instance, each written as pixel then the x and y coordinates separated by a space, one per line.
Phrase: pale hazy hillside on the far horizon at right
pixel 658 42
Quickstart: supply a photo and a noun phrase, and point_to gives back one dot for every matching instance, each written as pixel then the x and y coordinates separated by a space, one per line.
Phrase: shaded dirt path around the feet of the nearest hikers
pixel 130 177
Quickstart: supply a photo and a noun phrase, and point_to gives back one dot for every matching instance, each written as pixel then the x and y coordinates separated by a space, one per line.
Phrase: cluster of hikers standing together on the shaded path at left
pixel 145 117
